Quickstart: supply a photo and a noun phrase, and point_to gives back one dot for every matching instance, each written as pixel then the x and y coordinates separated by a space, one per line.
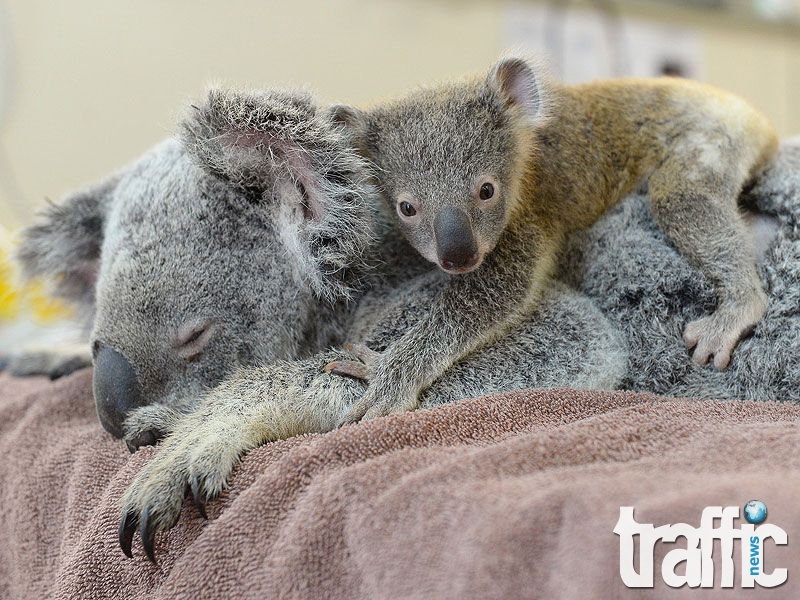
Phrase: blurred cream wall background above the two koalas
pixel 87 85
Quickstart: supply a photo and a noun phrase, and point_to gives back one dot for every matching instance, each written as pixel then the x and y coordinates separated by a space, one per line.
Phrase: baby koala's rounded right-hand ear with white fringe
pixel 516 80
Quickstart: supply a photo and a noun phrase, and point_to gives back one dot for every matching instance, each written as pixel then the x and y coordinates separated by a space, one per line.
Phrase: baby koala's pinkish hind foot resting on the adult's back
pixel 719 333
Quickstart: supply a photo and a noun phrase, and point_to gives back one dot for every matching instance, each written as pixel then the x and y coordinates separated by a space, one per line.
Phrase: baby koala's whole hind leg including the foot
pixel 695 204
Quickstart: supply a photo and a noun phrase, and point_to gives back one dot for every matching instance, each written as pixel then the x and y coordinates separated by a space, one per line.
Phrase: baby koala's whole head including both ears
pixel 450 160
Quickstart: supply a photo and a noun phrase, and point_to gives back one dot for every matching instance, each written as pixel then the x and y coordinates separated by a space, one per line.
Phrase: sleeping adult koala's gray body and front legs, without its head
pixel 624 264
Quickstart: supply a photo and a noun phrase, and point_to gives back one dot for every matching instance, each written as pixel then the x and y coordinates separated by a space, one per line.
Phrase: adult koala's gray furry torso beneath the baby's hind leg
pixel 648 292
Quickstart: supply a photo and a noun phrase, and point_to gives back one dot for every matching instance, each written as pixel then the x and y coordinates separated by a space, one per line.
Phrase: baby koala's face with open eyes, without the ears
pixel 447 164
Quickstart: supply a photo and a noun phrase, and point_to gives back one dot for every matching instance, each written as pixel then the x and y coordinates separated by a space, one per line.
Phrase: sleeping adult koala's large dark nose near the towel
pixel 116 389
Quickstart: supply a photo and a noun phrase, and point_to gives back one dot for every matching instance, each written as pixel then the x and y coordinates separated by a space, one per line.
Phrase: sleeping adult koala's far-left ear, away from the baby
pixel 64 247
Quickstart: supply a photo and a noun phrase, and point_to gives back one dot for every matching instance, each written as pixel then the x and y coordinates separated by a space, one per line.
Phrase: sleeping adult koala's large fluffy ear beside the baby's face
pixel 278 147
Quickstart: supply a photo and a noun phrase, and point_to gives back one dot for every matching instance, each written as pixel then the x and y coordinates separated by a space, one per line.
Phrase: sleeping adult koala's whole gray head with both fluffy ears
pixel 214 250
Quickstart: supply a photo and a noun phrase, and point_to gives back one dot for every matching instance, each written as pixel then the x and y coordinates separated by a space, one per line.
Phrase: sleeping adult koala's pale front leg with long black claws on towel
pixel 253 407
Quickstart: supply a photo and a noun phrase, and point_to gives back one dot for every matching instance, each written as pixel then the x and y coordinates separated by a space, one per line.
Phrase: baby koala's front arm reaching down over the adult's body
pixel 471 311
